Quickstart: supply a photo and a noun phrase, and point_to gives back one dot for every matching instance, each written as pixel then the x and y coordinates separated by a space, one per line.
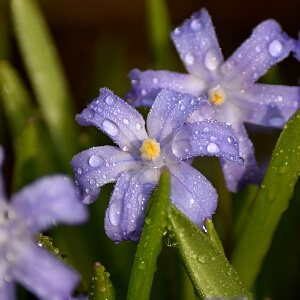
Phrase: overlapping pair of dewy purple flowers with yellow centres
pixel 195 114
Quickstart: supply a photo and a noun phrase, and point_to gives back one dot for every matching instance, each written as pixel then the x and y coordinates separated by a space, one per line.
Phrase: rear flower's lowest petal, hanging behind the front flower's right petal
pixel 236 176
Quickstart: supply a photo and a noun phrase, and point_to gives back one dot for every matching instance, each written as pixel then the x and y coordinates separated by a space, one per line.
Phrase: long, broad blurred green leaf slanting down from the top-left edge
pixel 46 74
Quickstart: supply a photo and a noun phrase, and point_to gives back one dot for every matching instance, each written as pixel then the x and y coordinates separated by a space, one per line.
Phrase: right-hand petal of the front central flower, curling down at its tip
pixel 206 138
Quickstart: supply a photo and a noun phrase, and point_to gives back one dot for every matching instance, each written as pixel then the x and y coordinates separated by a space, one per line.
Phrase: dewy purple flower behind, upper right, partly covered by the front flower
pixel 234 97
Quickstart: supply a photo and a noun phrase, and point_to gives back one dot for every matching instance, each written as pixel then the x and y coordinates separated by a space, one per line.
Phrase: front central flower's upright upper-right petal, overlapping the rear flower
pixel 169 111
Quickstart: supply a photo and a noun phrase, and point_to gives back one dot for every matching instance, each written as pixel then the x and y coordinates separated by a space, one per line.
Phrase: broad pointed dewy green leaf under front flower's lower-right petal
pixel 207 267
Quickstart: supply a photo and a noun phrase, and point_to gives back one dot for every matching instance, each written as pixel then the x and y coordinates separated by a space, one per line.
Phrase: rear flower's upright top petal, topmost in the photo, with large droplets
pixel 198 46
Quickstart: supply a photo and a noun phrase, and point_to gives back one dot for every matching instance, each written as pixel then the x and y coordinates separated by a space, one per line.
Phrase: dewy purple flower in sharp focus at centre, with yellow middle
pixel 135 166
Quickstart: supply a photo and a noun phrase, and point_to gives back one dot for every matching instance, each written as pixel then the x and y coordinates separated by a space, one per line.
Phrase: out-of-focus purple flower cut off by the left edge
pixel 35 208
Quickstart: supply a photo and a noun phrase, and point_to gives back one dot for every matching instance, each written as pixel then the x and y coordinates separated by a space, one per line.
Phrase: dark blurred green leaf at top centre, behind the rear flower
pixel 158 25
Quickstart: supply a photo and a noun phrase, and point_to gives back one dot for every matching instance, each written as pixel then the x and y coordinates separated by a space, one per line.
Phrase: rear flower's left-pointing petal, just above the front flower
pixel 146 85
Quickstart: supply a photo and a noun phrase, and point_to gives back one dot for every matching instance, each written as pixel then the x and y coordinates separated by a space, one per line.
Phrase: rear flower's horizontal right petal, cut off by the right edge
pixel 269 105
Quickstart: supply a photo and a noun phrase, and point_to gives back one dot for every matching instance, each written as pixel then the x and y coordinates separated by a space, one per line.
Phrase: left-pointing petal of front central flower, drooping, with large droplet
pixel 100 165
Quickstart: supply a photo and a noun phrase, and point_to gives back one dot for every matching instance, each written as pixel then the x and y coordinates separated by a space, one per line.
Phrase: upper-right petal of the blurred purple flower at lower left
pixel 47 201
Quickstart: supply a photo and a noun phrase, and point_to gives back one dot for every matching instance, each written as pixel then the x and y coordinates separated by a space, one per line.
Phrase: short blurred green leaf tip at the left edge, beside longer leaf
pixel 16 100
